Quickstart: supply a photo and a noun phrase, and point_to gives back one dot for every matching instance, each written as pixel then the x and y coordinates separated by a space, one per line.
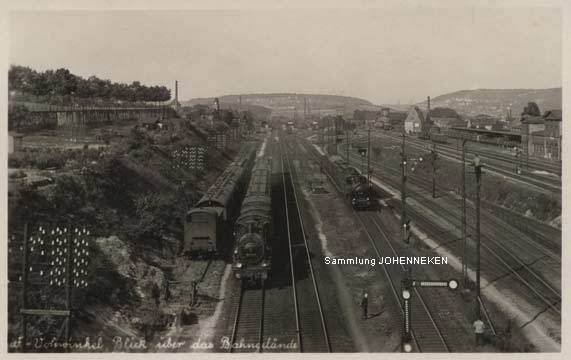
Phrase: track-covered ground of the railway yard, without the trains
pixel 305 305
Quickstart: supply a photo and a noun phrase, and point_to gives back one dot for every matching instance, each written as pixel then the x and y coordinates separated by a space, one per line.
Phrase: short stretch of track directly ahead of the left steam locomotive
pixel 248 326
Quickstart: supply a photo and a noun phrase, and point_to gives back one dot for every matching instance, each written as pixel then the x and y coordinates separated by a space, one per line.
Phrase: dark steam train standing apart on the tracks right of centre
pixel 356 187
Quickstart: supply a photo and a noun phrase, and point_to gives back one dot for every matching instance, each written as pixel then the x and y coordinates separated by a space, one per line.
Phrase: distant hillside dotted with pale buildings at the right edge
pixel 495 102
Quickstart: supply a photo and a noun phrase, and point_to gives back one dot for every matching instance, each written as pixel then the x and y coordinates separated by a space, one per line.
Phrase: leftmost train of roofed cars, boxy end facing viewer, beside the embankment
pixel 208 225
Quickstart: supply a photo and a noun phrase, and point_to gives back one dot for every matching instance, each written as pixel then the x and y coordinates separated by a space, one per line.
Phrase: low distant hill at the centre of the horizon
pixel 287 104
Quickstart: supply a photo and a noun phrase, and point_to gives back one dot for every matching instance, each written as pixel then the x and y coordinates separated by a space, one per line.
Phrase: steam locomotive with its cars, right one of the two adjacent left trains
pixel 252 251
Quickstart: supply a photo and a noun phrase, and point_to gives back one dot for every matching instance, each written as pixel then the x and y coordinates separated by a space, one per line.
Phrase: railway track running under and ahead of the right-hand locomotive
pixel 427 334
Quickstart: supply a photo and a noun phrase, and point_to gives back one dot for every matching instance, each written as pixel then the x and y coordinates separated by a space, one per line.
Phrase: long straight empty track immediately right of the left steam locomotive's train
pixel 310 319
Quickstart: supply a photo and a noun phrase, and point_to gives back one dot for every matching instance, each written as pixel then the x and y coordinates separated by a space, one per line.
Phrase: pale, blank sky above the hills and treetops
pixel 382 55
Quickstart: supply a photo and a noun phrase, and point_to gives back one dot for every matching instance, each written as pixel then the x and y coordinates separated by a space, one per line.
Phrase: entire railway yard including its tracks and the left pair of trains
pixel 286 202
